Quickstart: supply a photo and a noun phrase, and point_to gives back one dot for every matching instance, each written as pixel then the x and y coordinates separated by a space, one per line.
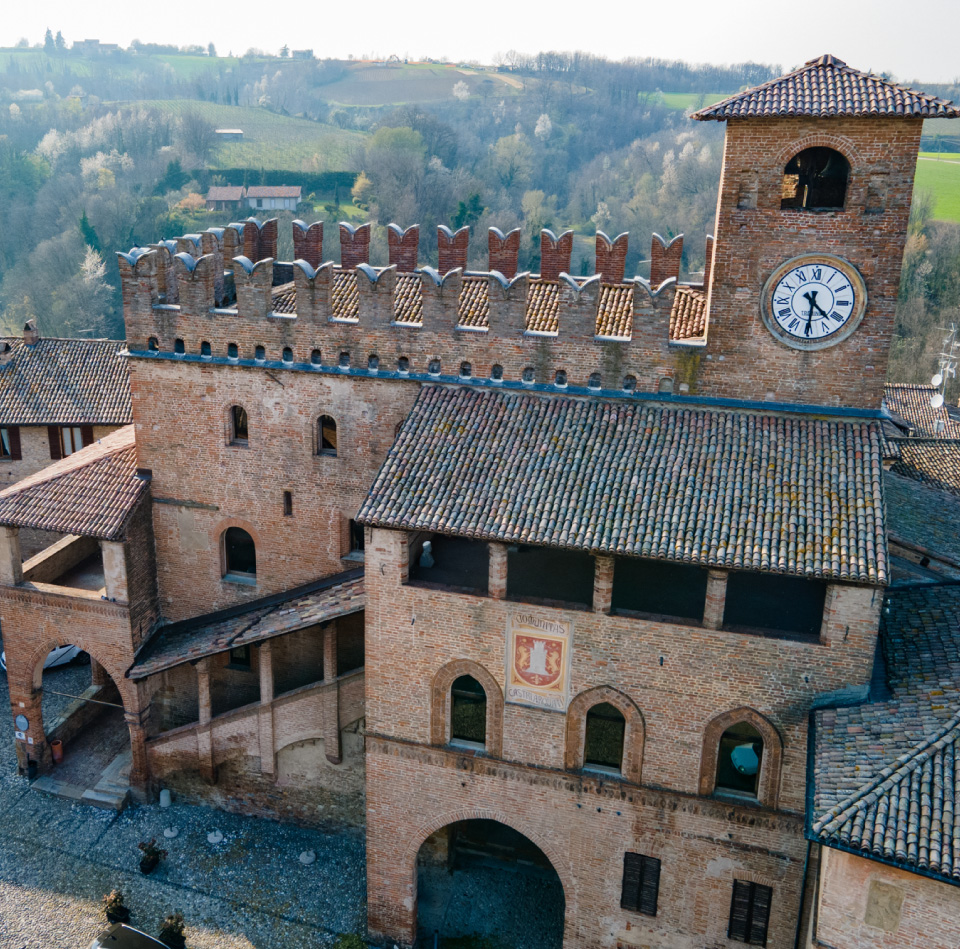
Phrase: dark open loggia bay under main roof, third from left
pixel 658 588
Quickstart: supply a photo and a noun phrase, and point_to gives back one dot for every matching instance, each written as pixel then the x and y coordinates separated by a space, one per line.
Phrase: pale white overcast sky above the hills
pixel 913 43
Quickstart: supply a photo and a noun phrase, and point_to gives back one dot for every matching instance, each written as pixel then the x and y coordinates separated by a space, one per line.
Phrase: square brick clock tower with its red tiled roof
pixel 811 224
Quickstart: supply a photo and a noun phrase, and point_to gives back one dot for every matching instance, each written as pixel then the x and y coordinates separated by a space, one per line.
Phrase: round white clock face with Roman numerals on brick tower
pixel 813 301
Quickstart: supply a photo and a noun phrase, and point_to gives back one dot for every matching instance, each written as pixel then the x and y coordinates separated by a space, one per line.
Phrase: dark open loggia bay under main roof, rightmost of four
pixel 756 601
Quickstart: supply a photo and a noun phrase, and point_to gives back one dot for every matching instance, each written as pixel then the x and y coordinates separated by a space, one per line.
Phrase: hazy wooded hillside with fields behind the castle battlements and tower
pixel 105 148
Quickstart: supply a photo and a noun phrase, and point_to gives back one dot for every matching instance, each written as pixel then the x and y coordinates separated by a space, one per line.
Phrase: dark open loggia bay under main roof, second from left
pixel 538 574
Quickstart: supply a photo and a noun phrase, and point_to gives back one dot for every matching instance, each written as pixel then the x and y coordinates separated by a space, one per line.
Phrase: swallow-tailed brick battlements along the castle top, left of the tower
pixel 599 331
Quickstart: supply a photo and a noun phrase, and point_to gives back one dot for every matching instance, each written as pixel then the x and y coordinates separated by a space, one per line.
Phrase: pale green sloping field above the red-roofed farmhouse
pixel 270 140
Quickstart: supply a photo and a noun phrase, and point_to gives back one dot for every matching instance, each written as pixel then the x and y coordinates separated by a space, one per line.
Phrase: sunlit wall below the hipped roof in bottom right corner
pixel 867 905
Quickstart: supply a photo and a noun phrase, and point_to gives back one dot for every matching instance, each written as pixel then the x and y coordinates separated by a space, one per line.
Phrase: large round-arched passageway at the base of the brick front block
pixel 481 883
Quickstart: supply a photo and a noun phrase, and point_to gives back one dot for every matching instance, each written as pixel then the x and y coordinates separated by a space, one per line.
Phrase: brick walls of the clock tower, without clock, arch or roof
pixel 752 241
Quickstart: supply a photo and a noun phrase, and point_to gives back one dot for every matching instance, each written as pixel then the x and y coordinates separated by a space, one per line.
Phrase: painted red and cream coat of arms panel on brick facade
pixel 538 661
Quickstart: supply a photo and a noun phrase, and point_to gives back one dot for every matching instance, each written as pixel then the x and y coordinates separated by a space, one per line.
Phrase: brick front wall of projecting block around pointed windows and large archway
pixel 680 677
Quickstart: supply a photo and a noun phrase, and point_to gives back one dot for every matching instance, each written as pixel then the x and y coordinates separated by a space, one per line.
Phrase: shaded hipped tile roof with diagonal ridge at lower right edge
pixel 887 774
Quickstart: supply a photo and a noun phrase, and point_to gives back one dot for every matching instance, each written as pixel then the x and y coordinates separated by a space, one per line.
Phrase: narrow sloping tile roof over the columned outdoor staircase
pixel 252 622
